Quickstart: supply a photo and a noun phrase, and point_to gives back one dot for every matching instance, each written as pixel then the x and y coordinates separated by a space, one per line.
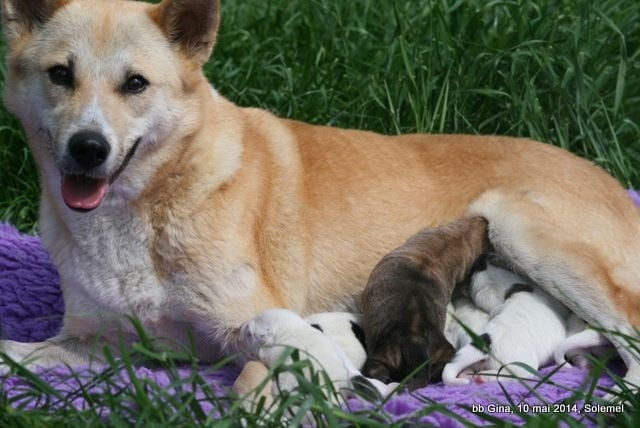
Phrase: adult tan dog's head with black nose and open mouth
pixel 96 82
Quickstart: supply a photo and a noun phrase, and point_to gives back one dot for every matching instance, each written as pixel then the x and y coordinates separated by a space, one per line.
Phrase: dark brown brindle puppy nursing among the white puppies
pixel 406 297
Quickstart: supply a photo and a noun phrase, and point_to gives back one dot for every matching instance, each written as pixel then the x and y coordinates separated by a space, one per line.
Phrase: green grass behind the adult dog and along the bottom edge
pixel 562 71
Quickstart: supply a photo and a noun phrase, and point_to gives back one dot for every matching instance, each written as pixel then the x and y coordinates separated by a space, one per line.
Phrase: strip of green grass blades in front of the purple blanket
pixel 115 396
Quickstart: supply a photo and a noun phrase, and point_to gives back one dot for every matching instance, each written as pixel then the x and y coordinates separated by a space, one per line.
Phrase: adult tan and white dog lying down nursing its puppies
pixel 163 200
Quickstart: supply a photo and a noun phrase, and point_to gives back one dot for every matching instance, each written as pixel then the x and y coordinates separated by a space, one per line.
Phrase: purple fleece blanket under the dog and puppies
pixel 31 309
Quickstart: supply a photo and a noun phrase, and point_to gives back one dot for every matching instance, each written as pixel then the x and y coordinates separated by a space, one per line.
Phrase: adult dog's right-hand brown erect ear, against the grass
pixel 191 24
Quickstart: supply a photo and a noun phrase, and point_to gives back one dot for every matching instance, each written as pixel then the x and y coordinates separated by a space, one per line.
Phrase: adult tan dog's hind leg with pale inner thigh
pixel 585 254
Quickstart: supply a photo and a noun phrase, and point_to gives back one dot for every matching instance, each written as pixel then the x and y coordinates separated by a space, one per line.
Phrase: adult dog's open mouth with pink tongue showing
pixel 83 193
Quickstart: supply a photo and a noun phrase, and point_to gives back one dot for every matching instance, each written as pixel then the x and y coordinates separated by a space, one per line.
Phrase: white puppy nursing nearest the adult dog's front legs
pixel 265 337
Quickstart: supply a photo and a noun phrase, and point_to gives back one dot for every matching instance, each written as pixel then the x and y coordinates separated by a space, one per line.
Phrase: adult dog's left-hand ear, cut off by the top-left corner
pixel 20 17
